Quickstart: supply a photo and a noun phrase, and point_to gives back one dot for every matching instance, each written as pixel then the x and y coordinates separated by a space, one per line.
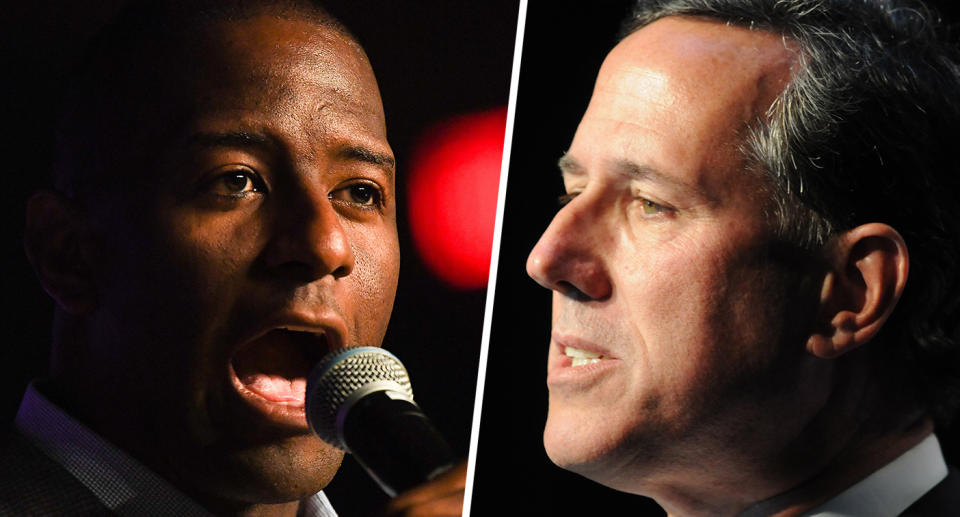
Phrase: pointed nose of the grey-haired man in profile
pixel 569 257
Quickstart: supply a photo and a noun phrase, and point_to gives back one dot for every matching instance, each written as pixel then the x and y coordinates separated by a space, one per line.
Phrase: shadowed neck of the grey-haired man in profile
pixel 791 461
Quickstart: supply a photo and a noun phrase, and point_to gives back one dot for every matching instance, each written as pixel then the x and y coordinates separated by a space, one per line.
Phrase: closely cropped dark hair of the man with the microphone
pixel 95 115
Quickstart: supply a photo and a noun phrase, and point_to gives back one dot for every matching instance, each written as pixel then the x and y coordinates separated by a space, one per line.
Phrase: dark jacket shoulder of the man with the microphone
pixel 33 484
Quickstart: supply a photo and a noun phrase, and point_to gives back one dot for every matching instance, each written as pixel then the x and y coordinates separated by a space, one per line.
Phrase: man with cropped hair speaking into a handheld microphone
pixel 223 216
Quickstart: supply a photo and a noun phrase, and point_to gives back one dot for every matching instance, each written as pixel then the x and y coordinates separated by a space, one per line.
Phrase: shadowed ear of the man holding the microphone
pixel 54 243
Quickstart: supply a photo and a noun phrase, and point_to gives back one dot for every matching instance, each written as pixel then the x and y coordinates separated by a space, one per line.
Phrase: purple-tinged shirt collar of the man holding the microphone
pixel 120 482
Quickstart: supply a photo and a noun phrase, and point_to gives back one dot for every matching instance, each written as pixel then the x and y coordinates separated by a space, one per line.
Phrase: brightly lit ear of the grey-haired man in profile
pixel 867 272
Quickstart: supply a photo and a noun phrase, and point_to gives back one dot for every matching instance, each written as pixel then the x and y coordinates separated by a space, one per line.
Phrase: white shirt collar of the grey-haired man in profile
pixel 892 489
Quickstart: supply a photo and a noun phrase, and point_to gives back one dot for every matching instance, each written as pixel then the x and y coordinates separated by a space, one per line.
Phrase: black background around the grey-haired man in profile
pixel 564 44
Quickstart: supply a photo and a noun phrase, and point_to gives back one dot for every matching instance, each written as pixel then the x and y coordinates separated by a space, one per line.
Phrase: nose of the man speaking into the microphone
pixel 309 238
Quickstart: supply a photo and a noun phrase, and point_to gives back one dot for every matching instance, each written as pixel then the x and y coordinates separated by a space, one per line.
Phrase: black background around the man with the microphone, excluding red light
pixel 433 59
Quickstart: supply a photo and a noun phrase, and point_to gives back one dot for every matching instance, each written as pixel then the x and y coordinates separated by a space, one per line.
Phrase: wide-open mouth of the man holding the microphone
pixel 275 366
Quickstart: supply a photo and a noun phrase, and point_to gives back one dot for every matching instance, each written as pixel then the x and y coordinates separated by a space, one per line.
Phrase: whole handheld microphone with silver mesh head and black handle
pixel 359 399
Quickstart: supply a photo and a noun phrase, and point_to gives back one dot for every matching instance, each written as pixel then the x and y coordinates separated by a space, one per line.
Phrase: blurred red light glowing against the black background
pixel 452 196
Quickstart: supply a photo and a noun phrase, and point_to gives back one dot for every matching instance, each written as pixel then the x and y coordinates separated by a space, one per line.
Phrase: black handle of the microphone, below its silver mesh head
pixel 395 442
